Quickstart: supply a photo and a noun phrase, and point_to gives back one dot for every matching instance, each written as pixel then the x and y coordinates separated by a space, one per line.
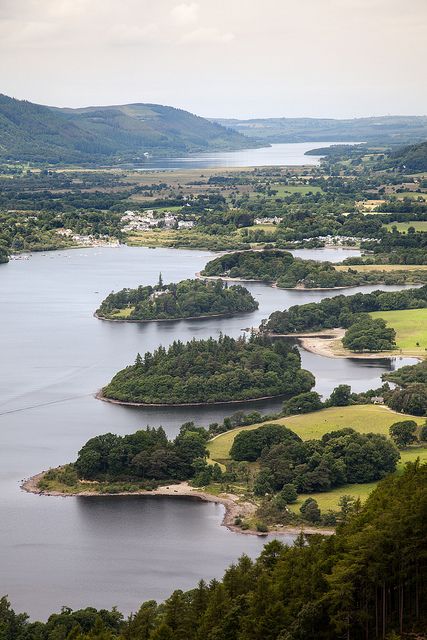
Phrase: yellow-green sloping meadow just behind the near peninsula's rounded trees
pixel 364 418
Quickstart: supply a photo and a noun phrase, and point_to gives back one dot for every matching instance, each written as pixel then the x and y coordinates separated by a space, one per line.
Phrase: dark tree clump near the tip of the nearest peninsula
pixel 146 454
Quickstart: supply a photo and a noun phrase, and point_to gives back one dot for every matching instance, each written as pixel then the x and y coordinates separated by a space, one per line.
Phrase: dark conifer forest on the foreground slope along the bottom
pixel 367 581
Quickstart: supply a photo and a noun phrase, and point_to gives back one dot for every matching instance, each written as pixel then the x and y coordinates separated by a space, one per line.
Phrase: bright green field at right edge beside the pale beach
pixel 411 328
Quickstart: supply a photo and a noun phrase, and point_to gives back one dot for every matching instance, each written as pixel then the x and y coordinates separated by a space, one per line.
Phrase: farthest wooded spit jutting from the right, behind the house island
pixel 284 271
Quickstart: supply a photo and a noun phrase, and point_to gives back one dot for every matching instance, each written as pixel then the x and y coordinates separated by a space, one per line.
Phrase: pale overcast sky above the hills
pixel 219 58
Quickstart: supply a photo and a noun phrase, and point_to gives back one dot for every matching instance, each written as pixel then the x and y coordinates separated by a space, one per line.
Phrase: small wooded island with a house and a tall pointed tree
pixel 187 299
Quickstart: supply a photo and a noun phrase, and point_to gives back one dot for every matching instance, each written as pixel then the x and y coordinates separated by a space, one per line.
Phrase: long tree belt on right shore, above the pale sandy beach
pixel 342 311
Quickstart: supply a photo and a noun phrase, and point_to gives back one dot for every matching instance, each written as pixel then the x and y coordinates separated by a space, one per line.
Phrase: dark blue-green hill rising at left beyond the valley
pixel 32 132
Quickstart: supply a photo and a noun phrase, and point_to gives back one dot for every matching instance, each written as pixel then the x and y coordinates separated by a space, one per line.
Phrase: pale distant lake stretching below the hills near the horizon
pixel 291 154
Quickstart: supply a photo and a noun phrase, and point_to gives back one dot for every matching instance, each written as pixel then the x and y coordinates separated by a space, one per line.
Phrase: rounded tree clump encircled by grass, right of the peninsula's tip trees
pixel 338 458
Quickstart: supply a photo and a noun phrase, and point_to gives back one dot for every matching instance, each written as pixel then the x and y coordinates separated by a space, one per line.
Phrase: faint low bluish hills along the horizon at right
pixel 384 129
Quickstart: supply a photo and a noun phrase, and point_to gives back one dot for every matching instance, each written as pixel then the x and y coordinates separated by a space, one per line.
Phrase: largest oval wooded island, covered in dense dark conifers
pixel 205 371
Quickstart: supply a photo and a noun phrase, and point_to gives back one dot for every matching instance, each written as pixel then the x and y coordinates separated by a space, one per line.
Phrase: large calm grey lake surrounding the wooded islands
pixel 110 551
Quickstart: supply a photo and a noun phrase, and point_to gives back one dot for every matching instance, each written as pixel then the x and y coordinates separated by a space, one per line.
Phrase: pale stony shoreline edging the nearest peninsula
pixel 233 508
